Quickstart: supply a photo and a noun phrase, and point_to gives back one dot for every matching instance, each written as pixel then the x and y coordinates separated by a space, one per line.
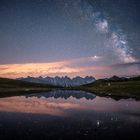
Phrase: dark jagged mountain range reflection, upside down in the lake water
pixel 65 94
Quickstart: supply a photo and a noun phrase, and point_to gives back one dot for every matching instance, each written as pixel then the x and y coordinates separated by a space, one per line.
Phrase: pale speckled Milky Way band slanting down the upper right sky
pixel 116 41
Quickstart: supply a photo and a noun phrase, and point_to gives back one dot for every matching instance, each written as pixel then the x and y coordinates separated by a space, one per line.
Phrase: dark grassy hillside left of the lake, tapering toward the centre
pixel 9 87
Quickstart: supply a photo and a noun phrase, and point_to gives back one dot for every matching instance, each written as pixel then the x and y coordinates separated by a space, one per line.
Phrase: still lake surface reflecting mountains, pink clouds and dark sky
pixel 67 115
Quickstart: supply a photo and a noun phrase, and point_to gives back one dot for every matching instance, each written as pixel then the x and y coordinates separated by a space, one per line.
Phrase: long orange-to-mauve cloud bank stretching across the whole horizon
pixel 81 66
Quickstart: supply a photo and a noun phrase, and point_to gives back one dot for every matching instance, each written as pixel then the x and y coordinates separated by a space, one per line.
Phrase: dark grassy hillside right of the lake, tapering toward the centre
pixel 129 87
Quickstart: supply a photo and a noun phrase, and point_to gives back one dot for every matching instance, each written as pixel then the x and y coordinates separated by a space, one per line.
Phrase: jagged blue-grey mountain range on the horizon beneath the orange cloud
pixel 60 81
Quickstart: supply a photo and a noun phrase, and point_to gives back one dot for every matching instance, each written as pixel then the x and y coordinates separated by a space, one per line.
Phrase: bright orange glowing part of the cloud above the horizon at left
pixel 37 69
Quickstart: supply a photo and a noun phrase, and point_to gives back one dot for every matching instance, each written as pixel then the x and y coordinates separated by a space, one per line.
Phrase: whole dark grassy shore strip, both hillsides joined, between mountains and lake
pixel 120 87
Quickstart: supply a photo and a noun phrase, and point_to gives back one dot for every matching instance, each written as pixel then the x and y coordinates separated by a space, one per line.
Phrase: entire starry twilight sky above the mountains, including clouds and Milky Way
pixel 69 37
